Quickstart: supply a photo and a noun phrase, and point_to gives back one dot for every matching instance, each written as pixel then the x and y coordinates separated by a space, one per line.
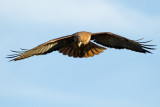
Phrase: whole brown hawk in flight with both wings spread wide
pixel 83 45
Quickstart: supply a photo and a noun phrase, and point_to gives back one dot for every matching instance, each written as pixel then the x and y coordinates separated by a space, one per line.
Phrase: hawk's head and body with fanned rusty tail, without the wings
pixel 81 46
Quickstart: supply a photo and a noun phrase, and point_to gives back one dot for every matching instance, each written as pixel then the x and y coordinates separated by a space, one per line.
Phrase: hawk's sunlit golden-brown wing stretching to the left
pixel 42 49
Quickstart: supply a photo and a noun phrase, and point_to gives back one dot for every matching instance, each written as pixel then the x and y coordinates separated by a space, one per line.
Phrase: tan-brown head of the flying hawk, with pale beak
pixel 82 38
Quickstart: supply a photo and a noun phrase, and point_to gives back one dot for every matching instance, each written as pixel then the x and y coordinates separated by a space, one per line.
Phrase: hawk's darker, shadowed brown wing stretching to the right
pixel 118 42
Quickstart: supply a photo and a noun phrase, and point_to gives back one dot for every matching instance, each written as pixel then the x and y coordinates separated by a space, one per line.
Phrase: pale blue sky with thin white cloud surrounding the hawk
pixel 116 78
